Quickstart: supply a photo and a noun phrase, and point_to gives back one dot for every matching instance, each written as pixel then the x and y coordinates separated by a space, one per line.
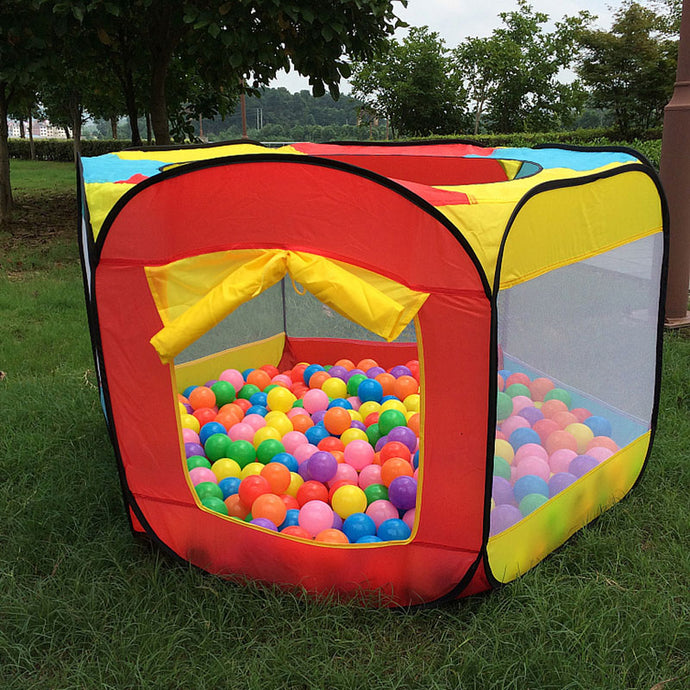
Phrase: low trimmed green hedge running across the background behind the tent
pixel 648 143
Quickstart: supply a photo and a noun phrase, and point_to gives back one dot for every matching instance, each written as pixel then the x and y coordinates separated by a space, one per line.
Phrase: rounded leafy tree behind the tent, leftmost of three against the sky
pixel 414 85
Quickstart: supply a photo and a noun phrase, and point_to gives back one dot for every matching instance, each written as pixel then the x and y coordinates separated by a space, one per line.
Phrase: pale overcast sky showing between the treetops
pixel 455 20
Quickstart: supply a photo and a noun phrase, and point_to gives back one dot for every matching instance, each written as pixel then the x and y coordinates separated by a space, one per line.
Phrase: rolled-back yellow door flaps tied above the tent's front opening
pixel 194 294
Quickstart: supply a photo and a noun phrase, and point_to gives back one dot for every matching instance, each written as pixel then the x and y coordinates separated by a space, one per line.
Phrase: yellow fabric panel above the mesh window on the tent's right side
pixel 571 224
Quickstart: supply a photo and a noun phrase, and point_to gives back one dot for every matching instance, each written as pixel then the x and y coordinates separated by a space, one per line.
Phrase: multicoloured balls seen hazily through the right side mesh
pixel 543 444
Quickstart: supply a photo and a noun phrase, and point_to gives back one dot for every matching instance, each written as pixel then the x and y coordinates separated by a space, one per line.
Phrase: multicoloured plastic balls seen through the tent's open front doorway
pixel 325 453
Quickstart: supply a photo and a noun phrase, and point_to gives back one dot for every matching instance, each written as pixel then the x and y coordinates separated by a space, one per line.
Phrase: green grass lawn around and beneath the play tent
pixel 85 605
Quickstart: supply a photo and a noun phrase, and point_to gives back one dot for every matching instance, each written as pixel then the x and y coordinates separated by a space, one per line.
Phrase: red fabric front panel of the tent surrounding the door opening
pixel 333 213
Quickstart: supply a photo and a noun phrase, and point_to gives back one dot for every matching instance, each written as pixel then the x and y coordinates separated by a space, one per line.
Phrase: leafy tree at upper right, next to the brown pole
pixel 631 69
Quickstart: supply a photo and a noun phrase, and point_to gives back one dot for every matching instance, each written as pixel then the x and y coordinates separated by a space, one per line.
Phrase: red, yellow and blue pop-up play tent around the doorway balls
pixel 526 283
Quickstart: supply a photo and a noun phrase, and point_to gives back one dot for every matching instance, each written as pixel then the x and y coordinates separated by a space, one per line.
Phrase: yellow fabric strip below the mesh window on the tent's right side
pixel 517 549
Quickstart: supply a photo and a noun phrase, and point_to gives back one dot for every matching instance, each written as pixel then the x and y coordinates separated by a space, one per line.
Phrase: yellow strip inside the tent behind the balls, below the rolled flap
pixel 267 351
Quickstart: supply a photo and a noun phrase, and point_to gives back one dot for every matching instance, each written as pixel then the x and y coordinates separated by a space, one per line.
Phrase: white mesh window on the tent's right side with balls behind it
pixel 578 375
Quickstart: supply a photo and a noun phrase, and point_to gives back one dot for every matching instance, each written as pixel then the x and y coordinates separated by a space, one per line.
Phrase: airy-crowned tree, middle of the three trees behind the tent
pixel 513 76
